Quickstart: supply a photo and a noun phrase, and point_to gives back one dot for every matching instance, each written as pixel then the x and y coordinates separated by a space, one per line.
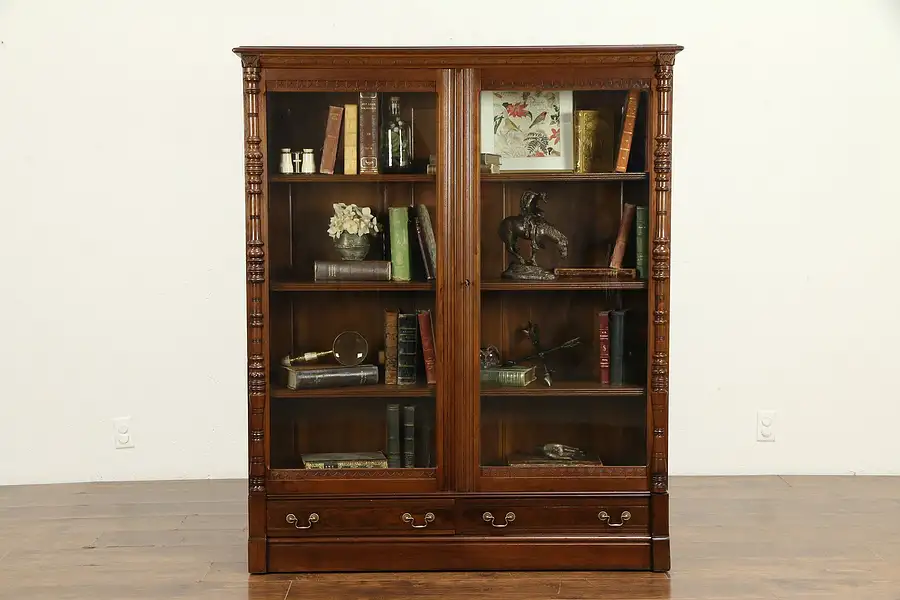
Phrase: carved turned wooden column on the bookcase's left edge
pixel 256 273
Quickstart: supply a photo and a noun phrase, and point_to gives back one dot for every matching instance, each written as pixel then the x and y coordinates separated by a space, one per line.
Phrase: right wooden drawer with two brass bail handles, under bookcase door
pixel 596 516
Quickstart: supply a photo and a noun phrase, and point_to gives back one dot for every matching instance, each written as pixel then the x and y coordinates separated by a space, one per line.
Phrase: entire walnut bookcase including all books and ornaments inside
pixel 457 270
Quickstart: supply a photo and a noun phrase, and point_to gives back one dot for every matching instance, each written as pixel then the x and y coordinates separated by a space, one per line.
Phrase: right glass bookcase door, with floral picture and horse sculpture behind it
pixel 564 199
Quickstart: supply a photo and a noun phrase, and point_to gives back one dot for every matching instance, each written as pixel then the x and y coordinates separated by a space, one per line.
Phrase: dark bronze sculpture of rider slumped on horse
pixel 530 224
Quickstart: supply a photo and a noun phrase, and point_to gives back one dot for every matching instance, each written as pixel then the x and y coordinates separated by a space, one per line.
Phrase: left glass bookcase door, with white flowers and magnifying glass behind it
pixel 352 202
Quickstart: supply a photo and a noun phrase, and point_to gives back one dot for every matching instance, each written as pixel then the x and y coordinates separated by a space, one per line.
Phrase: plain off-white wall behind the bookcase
pixel 122 213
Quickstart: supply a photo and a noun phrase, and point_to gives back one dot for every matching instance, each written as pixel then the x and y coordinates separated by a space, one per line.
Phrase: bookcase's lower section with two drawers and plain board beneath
pixel 476 532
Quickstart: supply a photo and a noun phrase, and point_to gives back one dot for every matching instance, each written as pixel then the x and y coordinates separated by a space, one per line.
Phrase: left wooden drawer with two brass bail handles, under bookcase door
pixel 311 518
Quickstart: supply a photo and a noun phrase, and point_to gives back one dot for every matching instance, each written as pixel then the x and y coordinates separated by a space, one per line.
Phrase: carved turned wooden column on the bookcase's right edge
pixel 660 265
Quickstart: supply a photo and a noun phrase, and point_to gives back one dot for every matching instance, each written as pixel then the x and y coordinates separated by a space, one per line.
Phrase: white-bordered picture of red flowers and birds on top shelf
pixel 531 131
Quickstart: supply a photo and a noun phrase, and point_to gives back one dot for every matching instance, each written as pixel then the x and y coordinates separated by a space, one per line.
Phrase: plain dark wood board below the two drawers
pixel 457 553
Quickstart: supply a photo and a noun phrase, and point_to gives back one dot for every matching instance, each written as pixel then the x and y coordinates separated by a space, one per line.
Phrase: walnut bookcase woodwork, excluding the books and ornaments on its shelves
pixel 463 505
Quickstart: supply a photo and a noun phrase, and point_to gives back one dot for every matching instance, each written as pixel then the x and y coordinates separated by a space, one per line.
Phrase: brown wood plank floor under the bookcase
pixel 759 537
